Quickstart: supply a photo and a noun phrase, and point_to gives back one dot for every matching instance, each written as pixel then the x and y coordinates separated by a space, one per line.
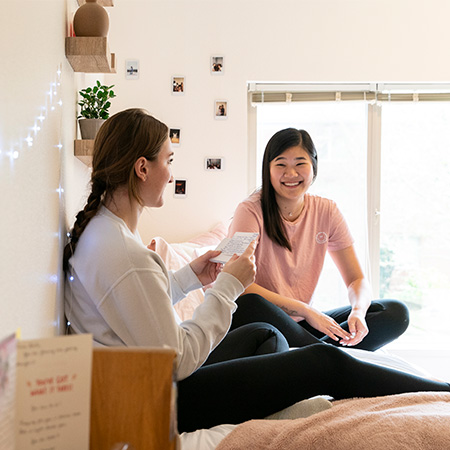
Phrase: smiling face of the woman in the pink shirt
pixel 291 175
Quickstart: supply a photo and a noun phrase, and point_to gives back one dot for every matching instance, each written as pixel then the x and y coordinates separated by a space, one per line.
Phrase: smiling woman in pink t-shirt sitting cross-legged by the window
pixel 296 230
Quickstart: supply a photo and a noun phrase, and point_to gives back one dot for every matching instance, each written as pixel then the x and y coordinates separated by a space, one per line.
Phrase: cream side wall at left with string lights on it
pixel 35 77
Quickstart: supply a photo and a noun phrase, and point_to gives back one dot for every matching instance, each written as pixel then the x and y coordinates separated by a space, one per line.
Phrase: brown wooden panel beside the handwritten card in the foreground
pixel 133 399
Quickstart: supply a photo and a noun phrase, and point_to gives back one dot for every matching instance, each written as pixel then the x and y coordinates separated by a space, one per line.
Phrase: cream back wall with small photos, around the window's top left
pixel 264 40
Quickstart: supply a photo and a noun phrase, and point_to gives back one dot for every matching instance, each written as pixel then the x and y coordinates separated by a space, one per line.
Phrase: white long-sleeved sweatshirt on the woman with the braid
pixel 122 293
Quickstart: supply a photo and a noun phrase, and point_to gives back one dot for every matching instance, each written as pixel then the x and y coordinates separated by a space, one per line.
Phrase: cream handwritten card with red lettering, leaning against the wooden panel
pixel 53 393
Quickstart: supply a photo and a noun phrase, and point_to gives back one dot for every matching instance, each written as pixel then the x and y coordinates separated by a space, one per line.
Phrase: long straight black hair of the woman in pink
pixel 278 143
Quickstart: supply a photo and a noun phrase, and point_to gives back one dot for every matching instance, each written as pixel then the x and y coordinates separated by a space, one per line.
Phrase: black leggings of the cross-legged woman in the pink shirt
pixel 386 320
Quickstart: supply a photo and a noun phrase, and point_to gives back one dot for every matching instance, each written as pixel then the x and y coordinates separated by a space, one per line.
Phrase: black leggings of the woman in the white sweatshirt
pixel 241 387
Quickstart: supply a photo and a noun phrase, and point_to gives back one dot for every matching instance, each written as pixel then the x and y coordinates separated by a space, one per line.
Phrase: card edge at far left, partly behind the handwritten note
pixel 8 355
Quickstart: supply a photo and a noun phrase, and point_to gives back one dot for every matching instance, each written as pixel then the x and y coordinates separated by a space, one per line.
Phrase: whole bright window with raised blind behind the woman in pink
pixel 398 170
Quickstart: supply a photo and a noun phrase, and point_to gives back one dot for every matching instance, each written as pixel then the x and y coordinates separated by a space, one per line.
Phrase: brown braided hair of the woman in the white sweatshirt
pixel 120 142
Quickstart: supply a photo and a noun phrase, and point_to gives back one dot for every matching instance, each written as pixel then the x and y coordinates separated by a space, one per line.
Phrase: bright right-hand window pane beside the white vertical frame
pixel 415 195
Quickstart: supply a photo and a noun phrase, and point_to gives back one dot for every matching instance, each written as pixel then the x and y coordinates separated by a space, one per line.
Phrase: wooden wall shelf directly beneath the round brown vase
pixel 90 55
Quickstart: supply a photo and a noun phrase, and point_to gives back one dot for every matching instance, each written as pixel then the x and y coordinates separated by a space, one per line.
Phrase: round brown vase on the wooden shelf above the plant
pixel 91 20
